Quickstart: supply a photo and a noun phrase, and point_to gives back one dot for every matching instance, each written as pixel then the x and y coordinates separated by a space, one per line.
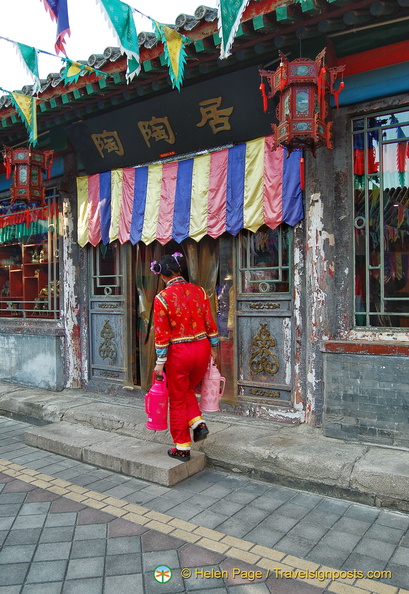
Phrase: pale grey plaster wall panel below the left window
pixel 33 360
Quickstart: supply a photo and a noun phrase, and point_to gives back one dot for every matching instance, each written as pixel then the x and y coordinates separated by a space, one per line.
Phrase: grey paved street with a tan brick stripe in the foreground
pixel 72 528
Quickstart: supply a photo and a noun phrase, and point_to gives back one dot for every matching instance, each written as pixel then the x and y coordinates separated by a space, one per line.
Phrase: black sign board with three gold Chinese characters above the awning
pixel 224 110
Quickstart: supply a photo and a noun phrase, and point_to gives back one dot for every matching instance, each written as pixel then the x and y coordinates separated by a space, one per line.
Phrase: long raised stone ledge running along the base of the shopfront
pixel 297 456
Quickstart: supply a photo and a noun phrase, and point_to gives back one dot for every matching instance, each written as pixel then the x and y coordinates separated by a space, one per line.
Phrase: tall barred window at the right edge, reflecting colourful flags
pixel 381 221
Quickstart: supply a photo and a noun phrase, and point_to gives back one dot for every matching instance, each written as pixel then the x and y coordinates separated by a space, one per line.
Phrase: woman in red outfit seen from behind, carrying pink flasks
pixel 185 337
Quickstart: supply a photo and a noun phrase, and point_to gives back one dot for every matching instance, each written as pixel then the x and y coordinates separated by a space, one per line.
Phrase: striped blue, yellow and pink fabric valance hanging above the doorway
pixel 243 187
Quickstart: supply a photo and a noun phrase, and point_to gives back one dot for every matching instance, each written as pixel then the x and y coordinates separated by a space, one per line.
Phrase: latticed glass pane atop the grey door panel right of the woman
pixel 264 260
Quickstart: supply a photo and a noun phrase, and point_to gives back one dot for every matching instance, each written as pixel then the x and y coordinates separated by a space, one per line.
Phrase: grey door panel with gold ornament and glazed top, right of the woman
pixel 264 317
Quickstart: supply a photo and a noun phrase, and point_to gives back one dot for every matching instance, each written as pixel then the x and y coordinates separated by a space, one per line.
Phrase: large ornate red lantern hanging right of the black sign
pixel 303 86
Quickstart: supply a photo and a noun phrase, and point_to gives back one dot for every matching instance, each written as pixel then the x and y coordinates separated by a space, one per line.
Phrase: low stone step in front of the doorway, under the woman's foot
pixel 142 459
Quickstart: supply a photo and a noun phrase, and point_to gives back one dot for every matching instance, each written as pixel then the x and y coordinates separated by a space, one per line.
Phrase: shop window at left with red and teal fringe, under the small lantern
pixel 29 259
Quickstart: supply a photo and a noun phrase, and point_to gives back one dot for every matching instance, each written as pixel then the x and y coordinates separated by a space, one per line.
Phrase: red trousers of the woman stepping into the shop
pixel 185 368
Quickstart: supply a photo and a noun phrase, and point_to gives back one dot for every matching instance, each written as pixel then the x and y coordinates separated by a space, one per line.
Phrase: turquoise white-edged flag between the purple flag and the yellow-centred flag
pixel 120 19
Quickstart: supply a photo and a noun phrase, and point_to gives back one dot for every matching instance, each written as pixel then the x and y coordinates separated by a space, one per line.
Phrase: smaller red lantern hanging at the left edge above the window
pixel 29 167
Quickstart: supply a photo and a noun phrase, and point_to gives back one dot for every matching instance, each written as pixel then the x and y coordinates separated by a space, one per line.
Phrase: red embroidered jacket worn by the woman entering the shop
pixel 182 314
